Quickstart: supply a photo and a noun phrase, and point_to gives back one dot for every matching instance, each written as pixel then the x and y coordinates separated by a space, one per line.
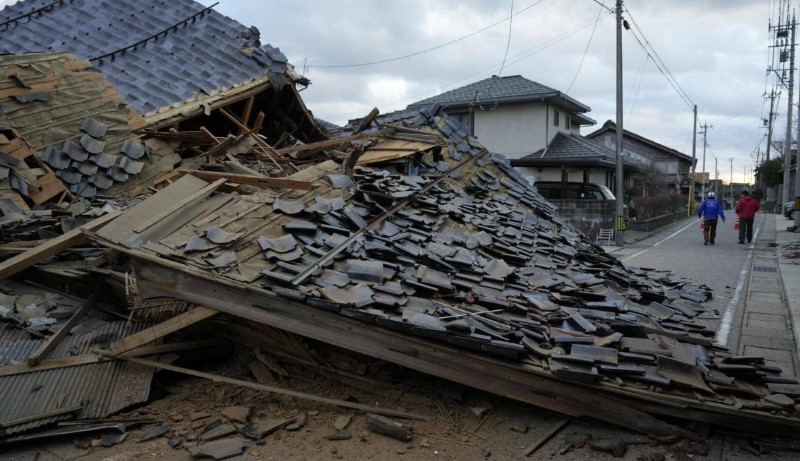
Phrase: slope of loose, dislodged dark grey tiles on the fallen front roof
pixel 453 246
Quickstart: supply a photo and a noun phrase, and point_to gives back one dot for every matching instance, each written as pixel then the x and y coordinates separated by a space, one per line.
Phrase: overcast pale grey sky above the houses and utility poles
pixel 717 51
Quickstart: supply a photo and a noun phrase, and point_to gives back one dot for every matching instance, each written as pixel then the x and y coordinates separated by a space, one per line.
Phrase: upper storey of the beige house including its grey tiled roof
pixel 511 115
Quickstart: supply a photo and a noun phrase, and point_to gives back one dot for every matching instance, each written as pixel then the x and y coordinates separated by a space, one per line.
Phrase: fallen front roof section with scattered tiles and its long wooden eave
pixel 441 258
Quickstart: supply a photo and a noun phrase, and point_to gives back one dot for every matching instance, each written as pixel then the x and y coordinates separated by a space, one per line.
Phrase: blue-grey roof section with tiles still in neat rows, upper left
pixel 183 48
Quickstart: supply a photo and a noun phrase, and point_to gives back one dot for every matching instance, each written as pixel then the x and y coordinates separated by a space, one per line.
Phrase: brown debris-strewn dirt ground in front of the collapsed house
pixel 462 423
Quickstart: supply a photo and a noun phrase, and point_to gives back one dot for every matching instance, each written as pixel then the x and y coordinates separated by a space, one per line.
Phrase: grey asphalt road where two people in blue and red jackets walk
pixel 724 267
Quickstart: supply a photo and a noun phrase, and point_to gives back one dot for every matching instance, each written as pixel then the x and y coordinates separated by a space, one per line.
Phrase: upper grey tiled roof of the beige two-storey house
pixel 494 89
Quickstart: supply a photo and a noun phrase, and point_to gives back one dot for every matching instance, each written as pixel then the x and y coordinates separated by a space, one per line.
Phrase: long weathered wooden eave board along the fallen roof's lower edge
pixel 159 277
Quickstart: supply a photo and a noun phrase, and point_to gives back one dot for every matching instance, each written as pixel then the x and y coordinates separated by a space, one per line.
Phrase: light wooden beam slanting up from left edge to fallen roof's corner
pixel 53 246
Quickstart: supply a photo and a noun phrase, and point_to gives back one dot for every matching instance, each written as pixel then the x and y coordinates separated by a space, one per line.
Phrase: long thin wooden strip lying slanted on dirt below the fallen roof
pixel 277 390
